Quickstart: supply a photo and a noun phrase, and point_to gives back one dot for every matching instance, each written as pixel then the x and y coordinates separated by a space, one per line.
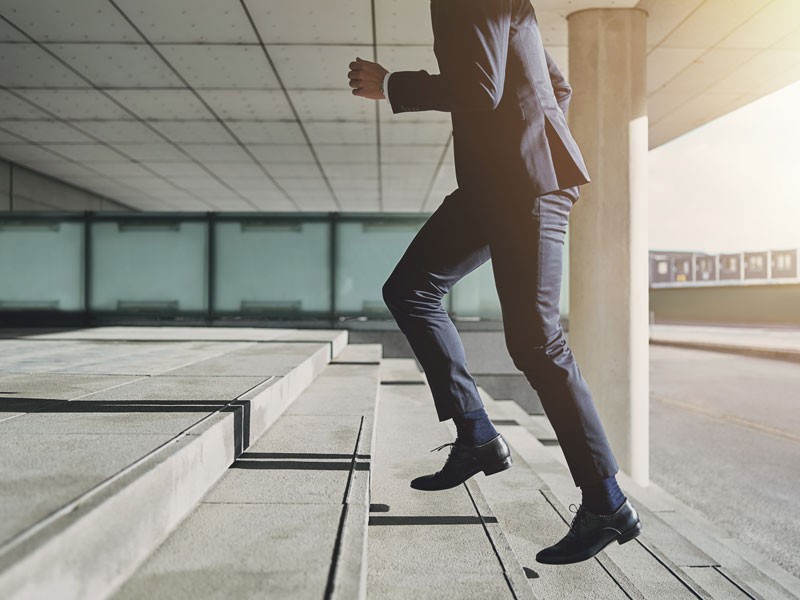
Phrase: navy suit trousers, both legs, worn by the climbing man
pixel 525 240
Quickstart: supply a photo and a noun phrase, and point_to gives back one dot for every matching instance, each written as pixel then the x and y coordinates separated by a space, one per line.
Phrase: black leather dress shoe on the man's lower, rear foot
pixel 589 533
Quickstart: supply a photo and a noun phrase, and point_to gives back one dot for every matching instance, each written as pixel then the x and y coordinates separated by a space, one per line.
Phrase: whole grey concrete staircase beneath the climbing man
pixel 266 463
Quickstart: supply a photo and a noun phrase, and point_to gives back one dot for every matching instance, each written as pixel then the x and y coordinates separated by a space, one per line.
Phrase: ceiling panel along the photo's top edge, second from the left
pixel 193 21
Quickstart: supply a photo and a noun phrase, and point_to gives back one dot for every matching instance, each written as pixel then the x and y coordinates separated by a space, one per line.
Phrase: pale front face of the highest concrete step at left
pixel 143 503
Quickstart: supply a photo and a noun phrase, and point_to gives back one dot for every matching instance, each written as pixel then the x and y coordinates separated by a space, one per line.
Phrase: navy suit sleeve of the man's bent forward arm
pixel 471 43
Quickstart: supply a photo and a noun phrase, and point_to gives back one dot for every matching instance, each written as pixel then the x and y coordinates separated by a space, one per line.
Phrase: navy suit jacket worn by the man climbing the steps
pixel 507 98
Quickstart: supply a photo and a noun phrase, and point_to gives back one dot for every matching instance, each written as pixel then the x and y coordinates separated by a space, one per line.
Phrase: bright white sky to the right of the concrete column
pixel 733 184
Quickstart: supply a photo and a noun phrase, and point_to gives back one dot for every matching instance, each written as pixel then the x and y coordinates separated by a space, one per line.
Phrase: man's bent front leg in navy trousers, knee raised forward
pixel 451 244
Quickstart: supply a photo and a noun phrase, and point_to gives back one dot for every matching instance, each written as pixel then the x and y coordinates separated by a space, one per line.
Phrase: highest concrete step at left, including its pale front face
pixel 108 444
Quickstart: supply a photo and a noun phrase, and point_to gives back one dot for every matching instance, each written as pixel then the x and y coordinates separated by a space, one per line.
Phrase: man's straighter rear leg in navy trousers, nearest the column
pixel 526 245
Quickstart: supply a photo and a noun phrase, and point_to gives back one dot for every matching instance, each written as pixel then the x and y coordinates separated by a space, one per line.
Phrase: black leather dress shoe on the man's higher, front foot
pixel 465 461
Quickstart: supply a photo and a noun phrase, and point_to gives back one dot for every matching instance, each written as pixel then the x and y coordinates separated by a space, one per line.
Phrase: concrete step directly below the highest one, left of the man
pixel 289 518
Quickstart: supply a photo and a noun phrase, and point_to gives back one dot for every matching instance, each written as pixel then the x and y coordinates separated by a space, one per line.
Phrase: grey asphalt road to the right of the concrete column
pixel 725 439
